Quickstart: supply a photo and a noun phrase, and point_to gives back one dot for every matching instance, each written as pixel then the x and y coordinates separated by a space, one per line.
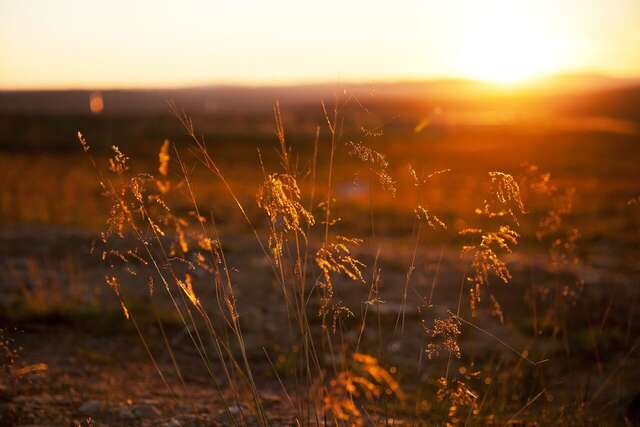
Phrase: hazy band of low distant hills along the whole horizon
pixel 213 99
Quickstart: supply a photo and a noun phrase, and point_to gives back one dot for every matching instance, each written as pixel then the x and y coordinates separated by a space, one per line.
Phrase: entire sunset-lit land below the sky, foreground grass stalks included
pixel 228 268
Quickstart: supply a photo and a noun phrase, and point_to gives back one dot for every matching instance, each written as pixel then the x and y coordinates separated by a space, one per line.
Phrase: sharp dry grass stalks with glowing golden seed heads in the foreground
pixel 331 379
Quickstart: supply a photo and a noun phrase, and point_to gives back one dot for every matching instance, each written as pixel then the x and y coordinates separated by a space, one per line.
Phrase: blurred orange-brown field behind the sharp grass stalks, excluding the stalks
pixel 579 316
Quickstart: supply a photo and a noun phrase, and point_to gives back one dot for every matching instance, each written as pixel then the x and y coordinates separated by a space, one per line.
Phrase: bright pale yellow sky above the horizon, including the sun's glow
pixel 47 44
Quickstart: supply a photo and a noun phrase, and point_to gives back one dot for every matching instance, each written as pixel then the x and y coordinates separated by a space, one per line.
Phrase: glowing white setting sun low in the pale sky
pixel 507 44
